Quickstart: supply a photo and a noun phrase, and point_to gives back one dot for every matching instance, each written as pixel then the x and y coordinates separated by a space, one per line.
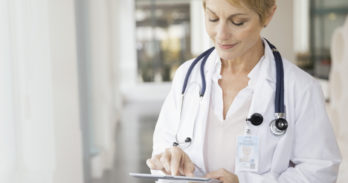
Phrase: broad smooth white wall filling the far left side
pixel 40 126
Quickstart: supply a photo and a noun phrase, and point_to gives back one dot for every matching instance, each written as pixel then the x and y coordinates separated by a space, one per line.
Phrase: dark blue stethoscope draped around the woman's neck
pixel 278 126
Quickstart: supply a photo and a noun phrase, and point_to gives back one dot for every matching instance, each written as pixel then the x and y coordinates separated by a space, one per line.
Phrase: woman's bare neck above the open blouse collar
pixel 245 63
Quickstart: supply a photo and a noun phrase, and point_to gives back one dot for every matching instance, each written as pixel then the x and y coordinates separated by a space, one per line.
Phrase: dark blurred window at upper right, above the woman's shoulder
pixel 326 17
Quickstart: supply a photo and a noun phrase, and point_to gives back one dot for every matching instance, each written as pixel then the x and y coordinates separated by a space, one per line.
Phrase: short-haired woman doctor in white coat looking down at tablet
pixel 206 133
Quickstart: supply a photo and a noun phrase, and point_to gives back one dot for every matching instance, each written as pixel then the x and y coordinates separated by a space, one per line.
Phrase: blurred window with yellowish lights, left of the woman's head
pixel 163 38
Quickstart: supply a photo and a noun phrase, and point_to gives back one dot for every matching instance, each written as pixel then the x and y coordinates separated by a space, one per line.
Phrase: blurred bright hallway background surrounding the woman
pixel 82 81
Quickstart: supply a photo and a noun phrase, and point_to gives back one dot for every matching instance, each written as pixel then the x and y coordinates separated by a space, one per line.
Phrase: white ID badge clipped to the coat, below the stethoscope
pixel 247 158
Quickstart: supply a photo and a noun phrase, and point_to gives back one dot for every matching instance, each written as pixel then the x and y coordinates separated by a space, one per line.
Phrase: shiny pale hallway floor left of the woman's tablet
pixel 133 144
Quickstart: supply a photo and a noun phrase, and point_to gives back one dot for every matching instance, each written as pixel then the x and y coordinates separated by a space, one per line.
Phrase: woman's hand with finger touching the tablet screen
pixel 173 161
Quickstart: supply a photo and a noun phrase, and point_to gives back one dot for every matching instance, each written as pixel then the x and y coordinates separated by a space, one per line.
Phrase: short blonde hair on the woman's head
pixel 261 7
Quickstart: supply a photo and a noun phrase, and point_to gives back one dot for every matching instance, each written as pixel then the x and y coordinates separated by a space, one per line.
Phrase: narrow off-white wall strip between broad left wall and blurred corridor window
pixel 104 85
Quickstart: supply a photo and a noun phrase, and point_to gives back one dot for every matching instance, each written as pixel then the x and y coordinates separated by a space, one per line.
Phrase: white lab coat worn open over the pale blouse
pixel 309 143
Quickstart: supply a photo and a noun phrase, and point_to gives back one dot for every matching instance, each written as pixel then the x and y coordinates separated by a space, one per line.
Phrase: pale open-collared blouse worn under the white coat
pixel 221 134
